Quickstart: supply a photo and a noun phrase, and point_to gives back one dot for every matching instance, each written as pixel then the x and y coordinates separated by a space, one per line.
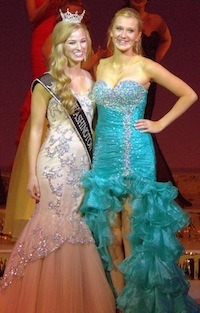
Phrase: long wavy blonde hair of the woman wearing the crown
pixel 58 60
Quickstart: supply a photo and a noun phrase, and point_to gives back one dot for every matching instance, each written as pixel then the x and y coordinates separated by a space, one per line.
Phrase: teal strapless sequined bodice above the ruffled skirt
pixel 120 149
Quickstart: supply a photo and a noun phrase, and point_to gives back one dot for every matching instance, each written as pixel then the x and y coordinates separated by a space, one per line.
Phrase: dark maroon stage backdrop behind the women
pixel 180 142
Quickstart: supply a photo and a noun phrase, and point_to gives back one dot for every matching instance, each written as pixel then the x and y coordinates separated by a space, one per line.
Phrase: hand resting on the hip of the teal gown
pixel 147 126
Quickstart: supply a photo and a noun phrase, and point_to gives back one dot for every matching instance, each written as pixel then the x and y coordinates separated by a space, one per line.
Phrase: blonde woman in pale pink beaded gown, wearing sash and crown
pixel 54 266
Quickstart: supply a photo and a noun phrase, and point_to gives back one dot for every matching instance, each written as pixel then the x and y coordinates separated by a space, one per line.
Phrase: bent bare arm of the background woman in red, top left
pixel 36 13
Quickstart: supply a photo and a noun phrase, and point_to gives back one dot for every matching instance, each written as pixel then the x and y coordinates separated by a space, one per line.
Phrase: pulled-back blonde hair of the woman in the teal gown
pixel 129 13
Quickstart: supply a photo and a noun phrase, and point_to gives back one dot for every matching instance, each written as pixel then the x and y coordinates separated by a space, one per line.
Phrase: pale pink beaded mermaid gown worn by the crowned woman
pixel 55 266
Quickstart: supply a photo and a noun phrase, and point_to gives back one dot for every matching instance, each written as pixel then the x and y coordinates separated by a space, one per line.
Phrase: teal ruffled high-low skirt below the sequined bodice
pixel 153 281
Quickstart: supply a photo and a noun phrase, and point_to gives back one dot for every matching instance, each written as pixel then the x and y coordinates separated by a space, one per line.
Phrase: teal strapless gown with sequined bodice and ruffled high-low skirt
pixel 124 168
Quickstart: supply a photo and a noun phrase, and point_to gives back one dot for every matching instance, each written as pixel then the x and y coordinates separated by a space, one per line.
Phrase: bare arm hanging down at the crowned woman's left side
pixel 39 103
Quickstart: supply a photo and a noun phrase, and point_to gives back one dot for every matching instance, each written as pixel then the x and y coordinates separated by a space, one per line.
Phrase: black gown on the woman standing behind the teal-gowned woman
pixel 150 45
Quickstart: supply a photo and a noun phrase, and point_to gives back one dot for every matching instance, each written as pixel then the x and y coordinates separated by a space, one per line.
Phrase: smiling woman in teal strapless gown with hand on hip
pixel 133 217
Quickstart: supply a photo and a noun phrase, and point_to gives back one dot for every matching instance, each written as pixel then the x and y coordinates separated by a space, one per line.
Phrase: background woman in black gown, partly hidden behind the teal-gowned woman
pixel 156 41
